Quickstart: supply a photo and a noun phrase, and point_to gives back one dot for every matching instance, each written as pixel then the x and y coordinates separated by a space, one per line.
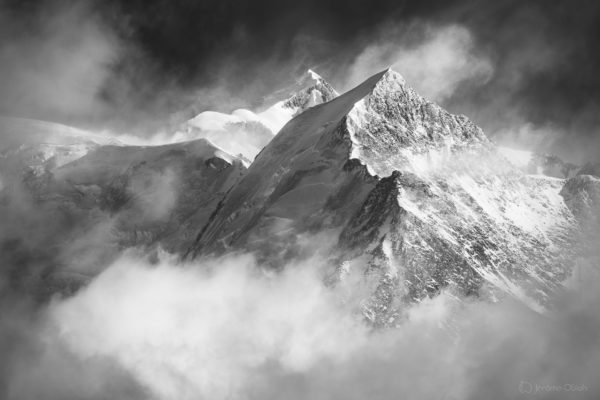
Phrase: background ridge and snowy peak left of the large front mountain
pixel 87 196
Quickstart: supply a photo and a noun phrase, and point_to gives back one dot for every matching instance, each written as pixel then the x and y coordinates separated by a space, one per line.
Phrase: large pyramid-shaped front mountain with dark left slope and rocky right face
pixel 415 198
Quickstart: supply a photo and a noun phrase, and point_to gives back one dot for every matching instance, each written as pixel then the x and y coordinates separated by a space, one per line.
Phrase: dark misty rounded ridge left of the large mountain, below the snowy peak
pixel 114 197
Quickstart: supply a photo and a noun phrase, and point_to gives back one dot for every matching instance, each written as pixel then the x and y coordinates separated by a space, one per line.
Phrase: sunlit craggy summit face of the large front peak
pixel 393 127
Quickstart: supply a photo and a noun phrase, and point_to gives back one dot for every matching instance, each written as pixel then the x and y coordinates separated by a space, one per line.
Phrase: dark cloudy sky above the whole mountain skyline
pixel 136 64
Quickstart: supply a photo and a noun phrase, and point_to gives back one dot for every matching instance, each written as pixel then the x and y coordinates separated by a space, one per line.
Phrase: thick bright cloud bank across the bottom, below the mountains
pixel 226 328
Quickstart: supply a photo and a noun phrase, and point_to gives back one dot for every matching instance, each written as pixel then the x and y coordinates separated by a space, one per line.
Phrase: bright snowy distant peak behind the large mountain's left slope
pixel 244 132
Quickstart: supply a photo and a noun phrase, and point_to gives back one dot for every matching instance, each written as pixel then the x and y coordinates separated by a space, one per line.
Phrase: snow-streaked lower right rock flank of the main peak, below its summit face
pixel 467 230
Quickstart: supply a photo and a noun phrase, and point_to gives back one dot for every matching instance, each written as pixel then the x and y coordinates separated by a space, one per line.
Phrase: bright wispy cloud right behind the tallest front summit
pixel 433 60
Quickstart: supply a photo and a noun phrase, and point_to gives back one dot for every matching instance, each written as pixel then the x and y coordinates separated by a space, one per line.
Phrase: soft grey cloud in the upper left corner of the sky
pixel 54 63
